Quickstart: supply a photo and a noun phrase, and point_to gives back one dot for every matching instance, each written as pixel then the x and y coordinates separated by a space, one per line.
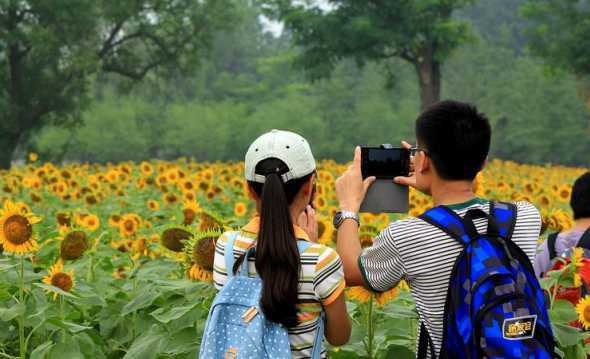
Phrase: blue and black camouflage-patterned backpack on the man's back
pixel 495 307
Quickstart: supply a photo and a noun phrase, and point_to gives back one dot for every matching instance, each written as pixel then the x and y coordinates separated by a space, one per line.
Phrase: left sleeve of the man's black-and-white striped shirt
pixel 381 264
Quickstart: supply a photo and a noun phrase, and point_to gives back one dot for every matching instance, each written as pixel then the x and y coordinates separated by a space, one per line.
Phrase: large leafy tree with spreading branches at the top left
pixel 50 49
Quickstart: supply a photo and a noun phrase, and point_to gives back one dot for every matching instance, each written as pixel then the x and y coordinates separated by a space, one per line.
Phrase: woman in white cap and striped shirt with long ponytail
pixel 297 288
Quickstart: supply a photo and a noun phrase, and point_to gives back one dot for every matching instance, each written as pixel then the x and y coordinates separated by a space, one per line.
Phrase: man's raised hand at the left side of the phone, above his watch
pixel 350 187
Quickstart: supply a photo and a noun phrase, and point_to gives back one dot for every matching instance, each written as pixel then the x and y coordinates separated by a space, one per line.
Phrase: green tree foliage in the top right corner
pixel 559 31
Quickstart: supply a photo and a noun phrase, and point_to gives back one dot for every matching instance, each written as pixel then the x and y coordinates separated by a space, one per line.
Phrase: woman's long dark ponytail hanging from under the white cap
pixel 277 256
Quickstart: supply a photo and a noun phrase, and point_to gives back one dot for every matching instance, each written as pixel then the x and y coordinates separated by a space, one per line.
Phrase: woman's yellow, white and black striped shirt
pixel 321 282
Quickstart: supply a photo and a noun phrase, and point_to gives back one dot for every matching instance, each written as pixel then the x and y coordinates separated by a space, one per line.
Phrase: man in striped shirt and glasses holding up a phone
pixel 453 141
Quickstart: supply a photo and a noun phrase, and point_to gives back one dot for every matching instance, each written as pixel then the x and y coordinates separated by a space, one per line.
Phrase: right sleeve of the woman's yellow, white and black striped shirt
pixel 328 281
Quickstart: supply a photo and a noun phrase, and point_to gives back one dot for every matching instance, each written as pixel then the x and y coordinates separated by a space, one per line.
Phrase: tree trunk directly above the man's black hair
pixel 428 71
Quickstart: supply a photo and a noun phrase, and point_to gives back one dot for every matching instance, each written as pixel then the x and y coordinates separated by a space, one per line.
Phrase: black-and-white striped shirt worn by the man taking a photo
pixel 424 255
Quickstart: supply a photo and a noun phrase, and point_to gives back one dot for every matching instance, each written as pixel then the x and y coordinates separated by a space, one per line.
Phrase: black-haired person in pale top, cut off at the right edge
pixel 580 203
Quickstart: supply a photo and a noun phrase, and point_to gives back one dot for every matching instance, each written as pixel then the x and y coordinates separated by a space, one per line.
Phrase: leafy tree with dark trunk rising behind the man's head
pixel 423 33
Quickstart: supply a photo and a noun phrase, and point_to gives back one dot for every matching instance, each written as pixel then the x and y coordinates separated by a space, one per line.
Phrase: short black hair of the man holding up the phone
pixel 456 137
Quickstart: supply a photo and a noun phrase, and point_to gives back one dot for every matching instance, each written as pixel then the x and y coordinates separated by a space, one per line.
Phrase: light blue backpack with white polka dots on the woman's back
pixel 236 326
